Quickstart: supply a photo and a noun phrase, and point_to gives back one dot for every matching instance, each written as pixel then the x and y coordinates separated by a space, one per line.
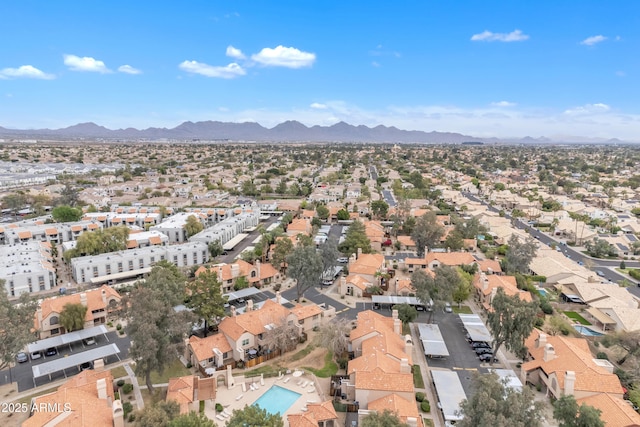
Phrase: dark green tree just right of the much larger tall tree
pixel 205 298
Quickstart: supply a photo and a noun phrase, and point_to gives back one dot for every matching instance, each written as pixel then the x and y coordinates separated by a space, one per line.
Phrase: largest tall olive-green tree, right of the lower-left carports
pixel 156 330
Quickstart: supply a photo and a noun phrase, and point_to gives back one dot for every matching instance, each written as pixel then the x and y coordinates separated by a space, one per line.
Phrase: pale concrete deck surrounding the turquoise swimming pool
pixel 228 398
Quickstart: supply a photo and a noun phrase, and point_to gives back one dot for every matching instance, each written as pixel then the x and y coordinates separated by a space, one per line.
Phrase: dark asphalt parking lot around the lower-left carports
pixel 23 374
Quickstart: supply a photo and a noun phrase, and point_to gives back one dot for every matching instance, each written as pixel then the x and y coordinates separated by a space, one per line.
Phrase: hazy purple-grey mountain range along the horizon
pixel 289 131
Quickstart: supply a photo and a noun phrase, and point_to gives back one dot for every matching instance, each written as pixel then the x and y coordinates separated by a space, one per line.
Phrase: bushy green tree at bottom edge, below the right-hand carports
pixel 495 404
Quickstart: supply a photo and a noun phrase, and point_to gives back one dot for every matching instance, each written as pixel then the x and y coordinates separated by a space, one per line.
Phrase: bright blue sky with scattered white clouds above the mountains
pixel 483 68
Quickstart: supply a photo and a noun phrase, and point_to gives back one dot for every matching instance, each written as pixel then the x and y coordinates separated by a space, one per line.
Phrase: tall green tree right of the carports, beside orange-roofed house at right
pixel 511 321
